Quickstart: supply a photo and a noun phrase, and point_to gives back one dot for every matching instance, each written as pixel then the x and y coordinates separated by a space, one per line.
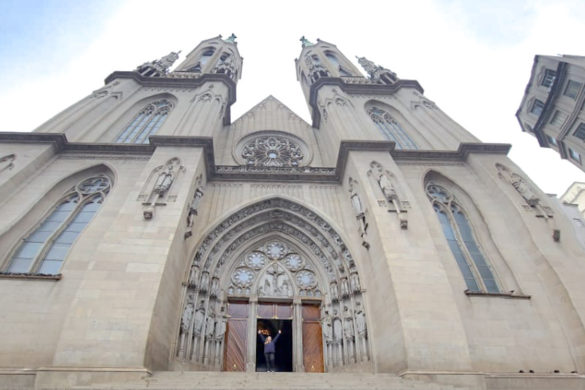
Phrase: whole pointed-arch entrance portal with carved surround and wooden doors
pixel 274 264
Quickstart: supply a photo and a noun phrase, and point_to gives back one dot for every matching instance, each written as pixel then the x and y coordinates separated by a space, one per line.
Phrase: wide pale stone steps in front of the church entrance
pixel 272 380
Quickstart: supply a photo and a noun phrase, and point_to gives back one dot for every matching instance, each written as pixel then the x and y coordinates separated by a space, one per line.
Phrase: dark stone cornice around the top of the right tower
pixel 355 89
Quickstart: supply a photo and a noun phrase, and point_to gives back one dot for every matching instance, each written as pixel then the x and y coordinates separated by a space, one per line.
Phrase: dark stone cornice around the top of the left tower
pixel 181 82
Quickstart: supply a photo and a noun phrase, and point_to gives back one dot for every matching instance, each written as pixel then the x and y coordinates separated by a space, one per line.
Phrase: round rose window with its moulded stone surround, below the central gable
pixel 272 149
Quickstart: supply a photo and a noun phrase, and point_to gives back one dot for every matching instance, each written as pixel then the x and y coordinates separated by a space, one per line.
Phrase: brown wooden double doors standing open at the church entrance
pixel 244 320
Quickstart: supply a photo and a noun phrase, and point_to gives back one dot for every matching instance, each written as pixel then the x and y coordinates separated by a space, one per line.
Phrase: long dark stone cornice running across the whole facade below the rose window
pixel 252 173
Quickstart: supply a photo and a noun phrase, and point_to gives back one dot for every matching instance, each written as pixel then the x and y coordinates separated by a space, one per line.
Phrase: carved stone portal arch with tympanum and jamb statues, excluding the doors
pixel 297 254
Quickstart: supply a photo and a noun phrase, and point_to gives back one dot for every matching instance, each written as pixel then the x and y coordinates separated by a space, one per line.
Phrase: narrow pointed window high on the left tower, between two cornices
pixel 146 123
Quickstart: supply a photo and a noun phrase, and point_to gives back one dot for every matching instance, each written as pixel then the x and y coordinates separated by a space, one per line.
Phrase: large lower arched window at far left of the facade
pixel 44 249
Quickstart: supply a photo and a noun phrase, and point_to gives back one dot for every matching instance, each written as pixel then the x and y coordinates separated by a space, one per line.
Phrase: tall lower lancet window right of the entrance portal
pixel 476 271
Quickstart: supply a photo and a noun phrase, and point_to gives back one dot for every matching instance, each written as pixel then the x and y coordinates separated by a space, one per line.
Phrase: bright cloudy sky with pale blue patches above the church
pixel 473 58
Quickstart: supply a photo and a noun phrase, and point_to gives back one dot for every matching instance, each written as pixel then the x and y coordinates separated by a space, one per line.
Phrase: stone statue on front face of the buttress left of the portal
pixel 159 185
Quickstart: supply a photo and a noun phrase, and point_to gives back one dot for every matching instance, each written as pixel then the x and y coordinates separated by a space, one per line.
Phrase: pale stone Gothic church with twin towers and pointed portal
pixel 147 238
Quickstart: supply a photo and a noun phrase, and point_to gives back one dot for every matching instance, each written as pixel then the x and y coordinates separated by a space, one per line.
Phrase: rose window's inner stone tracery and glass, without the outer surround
pixel 272 151
